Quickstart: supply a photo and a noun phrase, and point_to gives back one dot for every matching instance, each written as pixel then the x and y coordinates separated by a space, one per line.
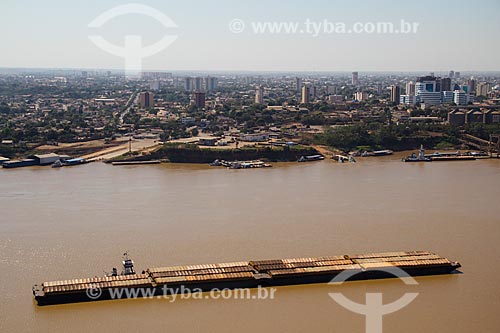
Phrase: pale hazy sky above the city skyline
pixel 459 35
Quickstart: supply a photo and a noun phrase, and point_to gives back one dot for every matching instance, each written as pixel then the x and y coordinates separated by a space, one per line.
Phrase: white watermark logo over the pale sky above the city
pixel 133 51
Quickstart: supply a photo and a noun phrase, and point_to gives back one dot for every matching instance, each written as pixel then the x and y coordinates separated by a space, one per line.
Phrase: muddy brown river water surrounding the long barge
pixel 76 222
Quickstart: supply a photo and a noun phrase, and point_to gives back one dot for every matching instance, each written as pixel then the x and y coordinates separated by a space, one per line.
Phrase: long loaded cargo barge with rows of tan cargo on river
pixel 246 274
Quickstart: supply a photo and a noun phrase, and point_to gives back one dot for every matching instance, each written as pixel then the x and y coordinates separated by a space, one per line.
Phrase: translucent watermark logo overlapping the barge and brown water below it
pixel 374 309
